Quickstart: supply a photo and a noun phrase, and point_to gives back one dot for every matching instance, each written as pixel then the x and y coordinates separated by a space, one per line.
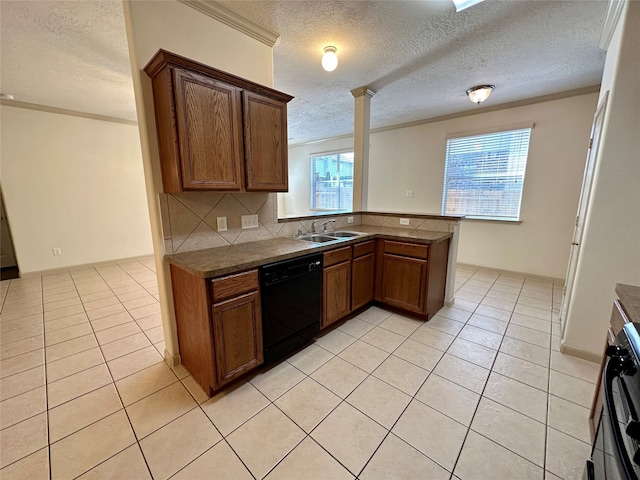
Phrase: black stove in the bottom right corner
pixel 616 449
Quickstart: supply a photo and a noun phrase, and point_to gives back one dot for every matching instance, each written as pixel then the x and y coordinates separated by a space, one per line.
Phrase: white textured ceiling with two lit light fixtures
pixel 420 56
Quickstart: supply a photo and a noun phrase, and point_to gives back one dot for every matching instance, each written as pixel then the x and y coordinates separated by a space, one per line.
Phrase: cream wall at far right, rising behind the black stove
pixel 610 251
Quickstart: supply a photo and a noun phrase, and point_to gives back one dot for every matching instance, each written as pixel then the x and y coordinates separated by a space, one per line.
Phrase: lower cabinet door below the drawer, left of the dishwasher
pixel 237 336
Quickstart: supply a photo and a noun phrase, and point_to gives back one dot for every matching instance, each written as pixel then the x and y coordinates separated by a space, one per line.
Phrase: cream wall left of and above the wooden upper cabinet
pixel 180 29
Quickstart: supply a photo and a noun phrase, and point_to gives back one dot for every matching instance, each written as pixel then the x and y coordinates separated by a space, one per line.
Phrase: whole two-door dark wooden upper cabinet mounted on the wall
pixel 217 131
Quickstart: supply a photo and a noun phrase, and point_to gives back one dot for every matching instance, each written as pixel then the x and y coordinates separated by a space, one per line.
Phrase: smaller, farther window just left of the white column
pixel 332 181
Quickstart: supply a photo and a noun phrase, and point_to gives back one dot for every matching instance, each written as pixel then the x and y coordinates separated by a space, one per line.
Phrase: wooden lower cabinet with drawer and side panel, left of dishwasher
pixel 219 325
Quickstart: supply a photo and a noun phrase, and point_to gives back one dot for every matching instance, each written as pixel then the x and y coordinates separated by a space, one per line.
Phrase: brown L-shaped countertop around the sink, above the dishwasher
pixel 215 262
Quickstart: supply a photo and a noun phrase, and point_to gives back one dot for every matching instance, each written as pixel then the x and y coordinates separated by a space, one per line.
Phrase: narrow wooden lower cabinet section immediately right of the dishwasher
pixel 336 279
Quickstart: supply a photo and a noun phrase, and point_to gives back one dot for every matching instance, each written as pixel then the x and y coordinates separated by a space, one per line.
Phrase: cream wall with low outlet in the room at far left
pixel 72 183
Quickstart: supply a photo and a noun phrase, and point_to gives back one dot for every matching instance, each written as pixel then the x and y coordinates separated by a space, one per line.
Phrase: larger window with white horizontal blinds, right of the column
pixel 484 175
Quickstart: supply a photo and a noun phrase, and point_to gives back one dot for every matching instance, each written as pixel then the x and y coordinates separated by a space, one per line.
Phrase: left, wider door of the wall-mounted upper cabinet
pixel 209 119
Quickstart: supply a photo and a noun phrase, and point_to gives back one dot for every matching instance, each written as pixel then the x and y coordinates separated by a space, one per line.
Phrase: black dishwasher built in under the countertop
pixel 291 294
